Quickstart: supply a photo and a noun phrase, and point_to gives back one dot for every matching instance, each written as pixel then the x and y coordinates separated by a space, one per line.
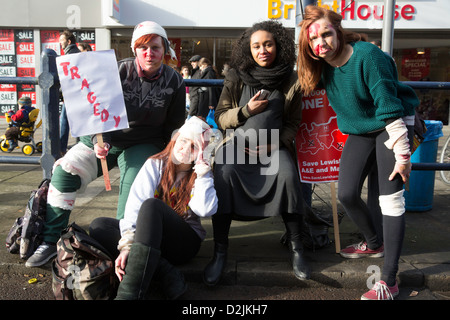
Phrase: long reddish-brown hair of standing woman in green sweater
pixel 309 66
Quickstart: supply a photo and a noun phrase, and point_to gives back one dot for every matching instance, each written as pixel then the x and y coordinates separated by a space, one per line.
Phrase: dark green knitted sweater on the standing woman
pixel 365 92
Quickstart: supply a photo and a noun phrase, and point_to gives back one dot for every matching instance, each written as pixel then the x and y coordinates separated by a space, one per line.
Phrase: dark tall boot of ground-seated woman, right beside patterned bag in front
pixel 141 265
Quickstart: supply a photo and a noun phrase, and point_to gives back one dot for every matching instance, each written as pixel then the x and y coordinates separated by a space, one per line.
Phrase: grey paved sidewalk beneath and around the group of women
pixel 256 256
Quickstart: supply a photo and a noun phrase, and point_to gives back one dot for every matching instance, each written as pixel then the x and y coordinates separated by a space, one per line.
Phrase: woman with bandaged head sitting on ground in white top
pixel 161 226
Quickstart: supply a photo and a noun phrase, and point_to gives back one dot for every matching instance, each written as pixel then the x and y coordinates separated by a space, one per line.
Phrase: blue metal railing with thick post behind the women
pixel 48 81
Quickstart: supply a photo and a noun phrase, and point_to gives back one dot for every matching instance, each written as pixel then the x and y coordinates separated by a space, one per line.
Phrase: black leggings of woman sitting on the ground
pixel 157 226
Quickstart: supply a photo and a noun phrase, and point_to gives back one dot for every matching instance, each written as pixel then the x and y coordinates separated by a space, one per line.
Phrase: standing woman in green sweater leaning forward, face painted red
pixel 377 112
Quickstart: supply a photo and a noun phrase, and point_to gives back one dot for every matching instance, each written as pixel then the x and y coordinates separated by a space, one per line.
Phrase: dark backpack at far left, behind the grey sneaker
pixel 25 234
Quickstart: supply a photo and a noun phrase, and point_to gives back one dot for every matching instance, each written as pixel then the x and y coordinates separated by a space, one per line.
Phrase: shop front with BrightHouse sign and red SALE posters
pixel 209 28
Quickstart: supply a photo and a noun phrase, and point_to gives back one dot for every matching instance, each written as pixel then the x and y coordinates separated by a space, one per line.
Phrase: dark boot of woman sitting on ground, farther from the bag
pixel 171 279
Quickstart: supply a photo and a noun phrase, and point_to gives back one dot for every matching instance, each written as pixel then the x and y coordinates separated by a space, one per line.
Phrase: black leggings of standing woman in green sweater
pixel 359 154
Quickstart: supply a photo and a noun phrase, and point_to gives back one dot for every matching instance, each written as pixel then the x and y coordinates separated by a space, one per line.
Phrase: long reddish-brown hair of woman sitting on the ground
pixel 180 199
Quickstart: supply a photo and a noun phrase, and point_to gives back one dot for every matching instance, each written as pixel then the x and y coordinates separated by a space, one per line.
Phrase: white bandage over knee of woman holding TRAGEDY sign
pixel 80 160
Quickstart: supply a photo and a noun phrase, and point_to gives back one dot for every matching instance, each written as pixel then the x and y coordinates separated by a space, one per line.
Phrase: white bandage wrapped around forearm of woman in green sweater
pixel 398 141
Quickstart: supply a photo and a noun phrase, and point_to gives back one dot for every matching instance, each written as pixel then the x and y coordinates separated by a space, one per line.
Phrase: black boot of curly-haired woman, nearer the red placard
pixel 293 223
